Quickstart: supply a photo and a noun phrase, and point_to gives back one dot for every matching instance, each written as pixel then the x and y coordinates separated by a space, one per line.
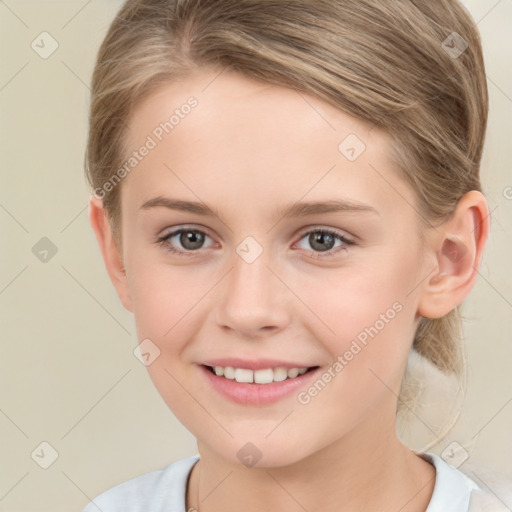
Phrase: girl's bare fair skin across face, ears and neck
pixel 247 150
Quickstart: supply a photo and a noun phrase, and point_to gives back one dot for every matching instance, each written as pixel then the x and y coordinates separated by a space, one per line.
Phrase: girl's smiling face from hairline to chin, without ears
pixel 311 288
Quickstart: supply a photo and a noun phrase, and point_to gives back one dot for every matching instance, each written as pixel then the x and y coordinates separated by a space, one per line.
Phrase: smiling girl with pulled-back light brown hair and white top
pixel 287 197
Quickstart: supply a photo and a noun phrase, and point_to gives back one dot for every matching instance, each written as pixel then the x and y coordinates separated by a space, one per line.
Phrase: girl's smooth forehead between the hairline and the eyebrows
pixel 254 138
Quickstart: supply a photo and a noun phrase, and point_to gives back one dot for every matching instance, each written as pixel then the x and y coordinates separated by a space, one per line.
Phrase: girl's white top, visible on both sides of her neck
pixel 164 490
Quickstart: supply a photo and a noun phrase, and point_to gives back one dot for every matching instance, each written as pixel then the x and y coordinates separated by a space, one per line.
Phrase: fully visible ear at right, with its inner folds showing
pixel 456 248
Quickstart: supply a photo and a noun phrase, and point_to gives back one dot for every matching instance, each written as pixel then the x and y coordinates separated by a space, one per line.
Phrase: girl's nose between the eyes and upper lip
pixel 252 297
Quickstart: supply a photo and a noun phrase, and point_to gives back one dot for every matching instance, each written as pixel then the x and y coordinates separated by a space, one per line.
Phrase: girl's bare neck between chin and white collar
pixel 349 475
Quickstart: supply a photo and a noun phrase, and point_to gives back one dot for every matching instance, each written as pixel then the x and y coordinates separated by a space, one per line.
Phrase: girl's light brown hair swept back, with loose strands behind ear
pixel 387 63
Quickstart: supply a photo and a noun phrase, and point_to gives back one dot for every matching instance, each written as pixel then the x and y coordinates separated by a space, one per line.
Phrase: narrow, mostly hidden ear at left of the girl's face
pixel 109 249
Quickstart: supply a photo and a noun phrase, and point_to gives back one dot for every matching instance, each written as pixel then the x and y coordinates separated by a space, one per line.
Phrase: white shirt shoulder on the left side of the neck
pixel 163 489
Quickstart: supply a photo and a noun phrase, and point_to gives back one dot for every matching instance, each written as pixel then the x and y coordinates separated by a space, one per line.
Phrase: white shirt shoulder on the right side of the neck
pixel 464 491
